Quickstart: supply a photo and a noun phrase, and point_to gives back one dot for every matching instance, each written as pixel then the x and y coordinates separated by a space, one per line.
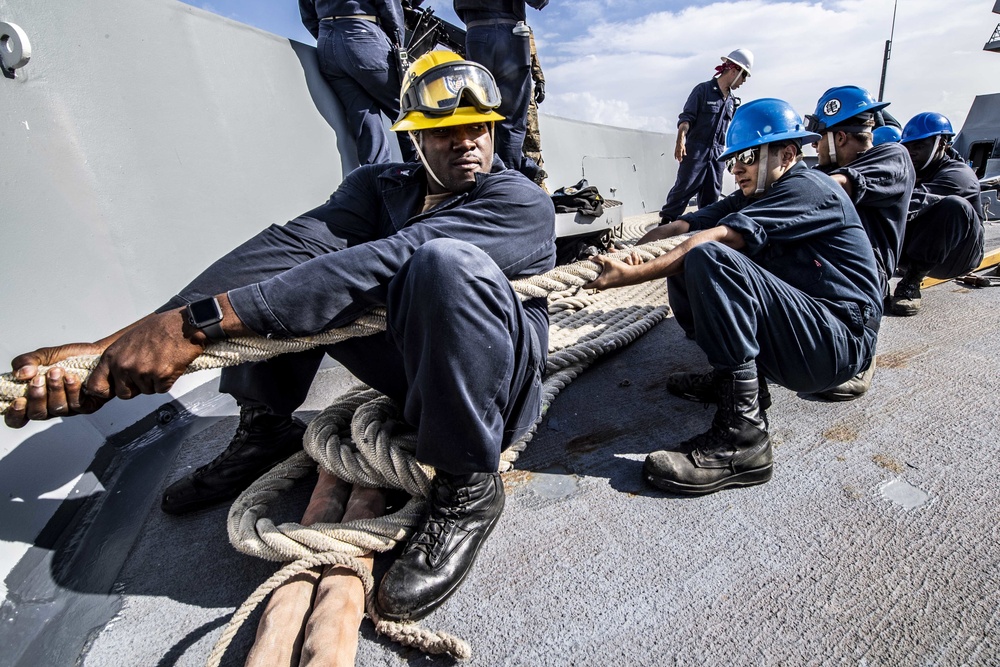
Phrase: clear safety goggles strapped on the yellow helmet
pixel 439 90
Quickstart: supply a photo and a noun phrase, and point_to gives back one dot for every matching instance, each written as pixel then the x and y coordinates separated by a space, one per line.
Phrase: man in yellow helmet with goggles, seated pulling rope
pixel 462 355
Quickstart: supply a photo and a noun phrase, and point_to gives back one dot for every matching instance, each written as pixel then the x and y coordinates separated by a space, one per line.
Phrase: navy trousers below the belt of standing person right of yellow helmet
pixel 508 57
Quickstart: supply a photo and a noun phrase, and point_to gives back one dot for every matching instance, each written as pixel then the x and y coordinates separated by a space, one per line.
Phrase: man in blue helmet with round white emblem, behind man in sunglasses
pixel 879 180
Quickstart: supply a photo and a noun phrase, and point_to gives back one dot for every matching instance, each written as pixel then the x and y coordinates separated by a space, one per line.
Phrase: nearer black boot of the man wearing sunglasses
pixel 735 451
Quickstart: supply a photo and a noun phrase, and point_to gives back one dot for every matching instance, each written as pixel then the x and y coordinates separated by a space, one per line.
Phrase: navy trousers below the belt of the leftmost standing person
pixel 356 59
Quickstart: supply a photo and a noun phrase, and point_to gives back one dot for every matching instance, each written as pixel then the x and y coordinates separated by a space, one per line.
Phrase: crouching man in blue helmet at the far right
pixel 944 228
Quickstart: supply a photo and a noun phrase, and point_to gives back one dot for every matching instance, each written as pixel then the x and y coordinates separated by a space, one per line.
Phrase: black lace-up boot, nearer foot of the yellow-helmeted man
pixel 463 511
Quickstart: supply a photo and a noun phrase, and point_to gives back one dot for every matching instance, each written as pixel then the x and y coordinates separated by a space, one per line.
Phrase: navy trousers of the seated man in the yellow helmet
pixel 459 354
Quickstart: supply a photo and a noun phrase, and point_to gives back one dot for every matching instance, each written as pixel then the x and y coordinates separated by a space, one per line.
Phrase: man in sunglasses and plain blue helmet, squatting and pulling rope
pixel 777 280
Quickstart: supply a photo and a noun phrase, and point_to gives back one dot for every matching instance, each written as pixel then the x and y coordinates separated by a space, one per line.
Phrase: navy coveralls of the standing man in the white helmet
pixel 708 114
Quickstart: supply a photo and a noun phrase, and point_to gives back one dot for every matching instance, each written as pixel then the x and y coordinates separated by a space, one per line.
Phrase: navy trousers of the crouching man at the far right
pixel 946 239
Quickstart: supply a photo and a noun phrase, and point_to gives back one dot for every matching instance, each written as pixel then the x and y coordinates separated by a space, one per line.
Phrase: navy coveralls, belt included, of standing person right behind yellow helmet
pixel 489 41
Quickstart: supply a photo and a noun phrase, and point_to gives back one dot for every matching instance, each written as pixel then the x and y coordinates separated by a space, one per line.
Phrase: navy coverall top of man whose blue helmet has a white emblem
pixel 882 182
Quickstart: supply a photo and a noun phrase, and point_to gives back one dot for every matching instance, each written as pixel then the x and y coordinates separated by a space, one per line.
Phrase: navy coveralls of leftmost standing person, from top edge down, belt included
pixel 357 59
